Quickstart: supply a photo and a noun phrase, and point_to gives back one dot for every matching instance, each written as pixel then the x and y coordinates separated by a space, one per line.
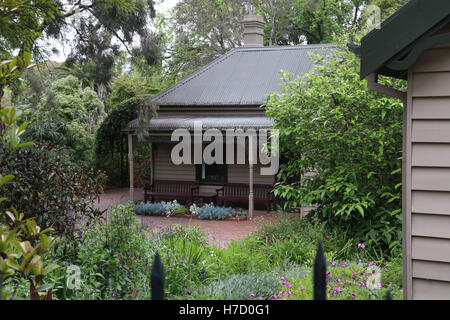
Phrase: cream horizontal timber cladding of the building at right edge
pixel 428 165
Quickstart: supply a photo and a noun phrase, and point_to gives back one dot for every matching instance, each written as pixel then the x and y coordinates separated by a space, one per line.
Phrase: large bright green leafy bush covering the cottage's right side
pixel 349 137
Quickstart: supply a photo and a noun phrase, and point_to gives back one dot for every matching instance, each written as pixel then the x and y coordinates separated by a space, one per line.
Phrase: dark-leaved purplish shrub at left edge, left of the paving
pixel 49 187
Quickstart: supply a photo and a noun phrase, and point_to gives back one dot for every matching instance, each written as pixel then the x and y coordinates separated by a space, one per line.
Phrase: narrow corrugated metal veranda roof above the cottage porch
pixel 170 123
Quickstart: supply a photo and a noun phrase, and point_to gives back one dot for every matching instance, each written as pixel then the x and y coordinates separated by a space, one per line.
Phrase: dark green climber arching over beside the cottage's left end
pixel 111 143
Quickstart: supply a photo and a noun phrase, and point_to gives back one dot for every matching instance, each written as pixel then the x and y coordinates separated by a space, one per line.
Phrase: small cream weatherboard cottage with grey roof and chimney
pixel 224 95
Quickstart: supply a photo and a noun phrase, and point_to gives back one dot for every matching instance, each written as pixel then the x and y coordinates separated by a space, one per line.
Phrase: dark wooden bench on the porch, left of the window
pixel 173 190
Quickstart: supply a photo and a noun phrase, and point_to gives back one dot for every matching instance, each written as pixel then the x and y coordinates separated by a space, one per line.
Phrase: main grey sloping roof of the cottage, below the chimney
pixel 243 76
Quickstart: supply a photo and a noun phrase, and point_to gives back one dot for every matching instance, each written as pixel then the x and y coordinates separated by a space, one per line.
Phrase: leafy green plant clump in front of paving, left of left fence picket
pixel 114 258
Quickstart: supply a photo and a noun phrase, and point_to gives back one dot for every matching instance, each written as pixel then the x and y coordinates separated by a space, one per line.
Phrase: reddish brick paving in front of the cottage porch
pixel 219 233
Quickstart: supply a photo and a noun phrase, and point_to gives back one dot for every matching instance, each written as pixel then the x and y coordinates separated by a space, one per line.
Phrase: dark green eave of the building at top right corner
pixel 411 25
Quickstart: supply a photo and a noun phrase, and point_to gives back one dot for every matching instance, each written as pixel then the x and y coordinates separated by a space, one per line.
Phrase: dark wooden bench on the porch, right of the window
pixel 238 192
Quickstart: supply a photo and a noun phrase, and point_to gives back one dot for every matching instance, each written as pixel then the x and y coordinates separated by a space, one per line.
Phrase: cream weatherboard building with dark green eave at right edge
pixel 414 44
